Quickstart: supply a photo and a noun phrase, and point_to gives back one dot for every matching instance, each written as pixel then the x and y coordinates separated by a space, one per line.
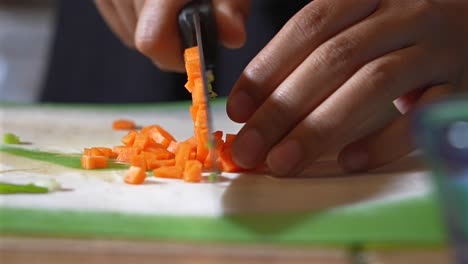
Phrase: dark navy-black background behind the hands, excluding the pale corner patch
pixel 89 64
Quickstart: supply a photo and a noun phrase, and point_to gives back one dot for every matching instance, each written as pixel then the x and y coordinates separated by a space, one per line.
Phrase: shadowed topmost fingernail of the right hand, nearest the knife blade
pixel 240 106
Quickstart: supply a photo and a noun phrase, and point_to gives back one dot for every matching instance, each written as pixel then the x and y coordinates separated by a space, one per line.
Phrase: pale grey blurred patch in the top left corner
pixel 26 31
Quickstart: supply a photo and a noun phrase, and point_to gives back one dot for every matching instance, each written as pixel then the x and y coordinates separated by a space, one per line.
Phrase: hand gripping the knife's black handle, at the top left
pixel 151 26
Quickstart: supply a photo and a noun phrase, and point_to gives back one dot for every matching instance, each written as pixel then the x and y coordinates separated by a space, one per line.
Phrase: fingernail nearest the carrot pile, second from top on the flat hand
pixel 247 149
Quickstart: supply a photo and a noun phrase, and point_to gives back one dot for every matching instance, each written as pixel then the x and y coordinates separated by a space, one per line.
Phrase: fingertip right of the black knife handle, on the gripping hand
pixel 231 16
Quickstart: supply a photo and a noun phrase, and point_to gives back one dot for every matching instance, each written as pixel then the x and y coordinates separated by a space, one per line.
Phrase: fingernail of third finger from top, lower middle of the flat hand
pixel 284 158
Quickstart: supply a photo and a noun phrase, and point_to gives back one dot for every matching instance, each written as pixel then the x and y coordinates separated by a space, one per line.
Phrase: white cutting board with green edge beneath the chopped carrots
pixel 393 206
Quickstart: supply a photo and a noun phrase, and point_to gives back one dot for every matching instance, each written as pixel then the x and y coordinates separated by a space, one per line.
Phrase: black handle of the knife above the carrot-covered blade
pixel 208 28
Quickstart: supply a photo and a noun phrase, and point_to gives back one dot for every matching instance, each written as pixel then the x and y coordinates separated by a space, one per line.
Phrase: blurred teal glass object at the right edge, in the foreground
pixel 441 131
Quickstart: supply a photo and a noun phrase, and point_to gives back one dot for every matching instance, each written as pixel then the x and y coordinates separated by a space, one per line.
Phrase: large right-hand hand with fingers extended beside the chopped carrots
pixel 337 64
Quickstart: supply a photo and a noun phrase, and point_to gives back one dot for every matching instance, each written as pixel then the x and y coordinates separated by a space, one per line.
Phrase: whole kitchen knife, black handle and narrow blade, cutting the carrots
pixel 198 28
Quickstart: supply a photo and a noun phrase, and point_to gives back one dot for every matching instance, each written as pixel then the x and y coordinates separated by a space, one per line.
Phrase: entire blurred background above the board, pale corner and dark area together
pixel 62 51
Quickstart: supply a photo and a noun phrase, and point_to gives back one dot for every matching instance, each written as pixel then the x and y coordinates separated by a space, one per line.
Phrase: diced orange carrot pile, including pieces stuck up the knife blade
pixel 154 149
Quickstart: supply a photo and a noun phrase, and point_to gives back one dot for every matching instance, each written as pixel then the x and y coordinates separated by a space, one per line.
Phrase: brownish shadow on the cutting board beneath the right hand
pixel 275 204
